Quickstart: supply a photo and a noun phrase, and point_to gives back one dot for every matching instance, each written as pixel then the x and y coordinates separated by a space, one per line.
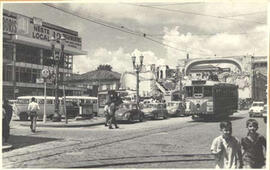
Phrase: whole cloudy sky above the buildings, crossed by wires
pixel 163 32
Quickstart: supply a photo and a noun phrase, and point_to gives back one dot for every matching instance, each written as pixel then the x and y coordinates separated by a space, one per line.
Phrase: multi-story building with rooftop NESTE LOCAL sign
pixel 27 51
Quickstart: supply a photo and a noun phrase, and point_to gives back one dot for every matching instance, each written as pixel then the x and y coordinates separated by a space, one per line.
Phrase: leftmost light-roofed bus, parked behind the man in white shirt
pixel 21 105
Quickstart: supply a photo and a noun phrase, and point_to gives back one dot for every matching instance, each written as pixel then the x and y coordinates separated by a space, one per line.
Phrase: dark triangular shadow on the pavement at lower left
pixel 23 141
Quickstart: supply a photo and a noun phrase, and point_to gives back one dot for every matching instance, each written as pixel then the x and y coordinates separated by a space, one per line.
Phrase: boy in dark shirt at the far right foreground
pixel 253 146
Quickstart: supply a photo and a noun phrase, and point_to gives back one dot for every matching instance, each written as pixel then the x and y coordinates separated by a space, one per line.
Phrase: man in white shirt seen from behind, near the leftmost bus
pixel 33 108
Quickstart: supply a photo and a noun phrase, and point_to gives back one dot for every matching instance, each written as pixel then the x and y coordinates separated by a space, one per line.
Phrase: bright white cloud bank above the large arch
pixel 221 44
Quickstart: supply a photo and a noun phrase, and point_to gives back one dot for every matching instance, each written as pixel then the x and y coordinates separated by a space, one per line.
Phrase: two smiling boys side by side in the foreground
pixel 230 153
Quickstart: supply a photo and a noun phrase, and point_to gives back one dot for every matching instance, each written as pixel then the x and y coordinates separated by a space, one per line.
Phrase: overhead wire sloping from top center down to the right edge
pixel 194 13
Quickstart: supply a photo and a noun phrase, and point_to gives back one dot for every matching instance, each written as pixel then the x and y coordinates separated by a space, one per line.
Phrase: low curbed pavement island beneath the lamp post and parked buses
pixel 71 123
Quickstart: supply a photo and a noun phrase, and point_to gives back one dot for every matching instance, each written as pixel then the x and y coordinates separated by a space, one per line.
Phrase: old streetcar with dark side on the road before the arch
pixel 209 99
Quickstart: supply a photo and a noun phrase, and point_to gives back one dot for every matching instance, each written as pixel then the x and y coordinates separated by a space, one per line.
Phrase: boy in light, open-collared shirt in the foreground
pixel 227 148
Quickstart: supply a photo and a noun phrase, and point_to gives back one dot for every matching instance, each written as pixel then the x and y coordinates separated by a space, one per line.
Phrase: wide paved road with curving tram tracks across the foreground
pixel 172 143
